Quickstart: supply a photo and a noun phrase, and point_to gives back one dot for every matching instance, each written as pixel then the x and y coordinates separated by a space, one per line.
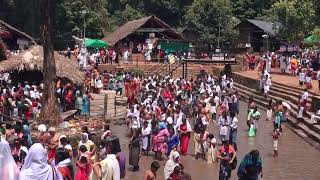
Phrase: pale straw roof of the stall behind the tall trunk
pixel 32 59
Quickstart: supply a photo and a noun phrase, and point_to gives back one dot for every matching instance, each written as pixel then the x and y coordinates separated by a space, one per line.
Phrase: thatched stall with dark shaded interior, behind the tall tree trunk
pixel 28 65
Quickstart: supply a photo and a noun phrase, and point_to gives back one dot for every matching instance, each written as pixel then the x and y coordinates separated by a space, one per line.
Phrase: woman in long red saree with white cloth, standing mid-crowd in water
pixel 184 130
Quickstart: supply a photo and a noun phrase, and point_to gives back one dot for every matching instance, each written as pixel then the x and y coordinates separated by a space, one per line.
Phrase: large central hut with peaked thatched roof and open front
pixel 149 31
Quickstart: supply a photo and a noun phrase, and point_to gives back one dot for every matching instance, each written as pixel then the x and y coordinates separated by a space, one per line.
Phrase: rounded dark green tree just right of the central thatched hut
pixel 205 16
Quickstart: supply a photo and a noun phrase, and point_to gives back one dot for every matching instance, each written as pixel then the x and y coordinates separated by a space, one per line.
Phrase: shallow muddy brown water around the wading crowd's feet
pixel 297 159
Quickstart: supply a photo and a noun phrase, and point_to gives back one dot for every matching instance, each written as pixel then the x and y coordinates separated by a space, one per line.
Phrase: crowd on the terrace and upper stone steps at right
pixel 302 65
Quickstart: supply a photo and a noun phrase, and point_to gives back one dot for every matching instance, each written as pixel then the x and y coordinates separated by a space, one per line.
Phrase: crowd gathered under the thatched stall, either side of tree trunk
pixel 23 100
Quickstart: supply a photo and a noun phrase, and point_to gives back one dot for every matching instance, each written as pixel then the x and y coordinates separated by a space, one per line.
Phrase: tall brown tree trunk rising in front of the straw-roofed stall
pixel 50 113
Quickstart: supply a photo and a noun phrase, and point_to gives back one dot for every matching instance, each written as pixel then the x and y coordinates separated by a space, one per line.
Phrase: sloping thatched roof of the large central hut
pixel 132 26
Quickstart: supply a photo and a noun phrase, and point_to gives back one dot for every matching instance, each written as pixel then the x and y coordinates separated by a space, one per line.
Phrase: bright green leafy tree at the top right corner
pixel 296 18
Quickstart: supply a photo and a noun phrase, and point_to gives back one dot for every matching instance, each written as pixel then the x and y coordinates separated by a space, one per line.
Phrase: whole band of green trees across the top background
pixel 296 16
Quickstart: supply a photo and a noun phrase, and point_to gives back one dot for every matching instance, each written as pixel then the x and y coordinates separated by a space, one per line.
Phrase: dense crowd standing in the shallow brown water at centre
pixel 166 113
